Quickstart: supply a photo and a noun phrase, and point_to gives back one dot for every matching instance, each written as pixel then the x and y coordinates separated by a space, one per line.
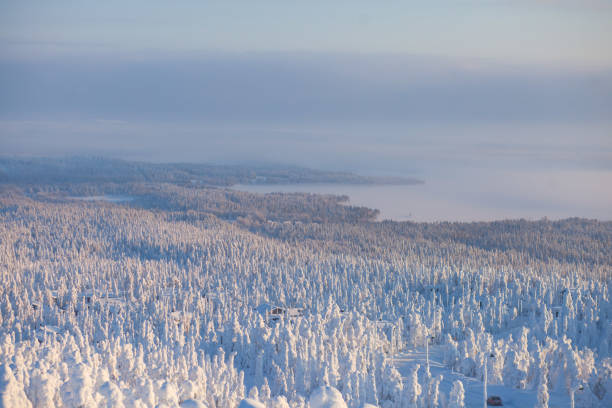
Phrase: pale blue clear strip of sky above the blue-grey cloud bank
pixel 560 32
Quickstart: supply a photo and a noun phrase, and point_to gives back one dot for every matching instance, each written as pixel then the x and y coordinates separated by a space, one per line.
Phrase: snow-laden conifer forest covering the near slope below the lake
pixel 184 295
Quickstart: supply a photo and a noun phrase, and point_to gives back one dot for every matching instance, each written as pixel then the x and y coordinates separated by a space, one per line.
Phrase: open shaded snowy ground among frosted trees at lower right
pixel 511 397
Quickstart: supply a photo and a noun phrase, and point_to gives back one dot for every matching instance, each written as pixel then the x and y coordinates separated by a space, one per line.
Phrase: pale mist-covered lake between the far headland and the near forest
pixel 476 196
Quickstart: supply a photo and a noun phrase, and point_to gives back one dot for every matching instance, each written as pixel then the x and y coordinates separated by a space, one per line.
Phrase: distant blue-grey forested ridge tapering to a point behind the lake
pixel 95 170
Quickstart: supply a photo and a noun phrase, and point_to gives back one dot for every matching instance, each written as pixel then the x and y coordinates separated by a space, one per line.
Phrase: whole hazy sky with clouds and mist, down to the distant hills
pixel 438 89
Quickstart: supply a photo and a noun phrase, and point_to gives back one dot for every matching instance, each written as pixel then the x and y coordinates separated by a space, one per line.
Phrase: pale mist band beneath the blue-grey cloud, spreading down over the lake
pixel 471 172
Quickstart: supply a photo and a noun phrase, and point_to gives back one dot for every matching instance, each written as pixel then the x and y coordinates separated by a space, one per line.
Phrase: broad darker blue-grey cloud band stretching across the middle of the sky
pixel 299 87
